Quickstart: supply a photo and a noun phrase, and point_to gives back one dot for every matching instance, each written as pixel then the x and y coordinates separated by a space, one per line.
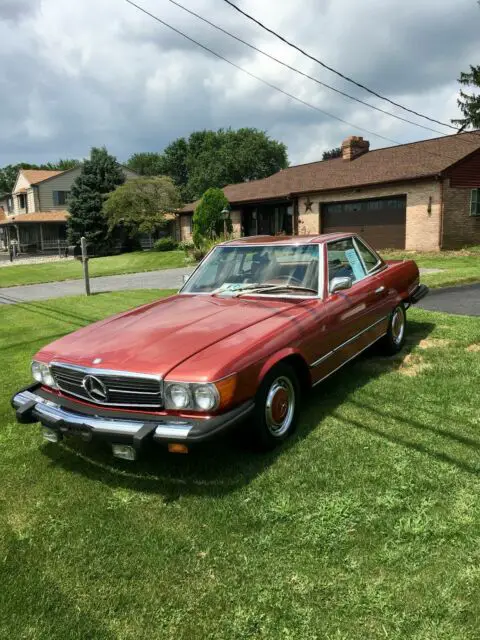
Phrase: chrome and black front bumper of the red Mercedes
pixel 65 417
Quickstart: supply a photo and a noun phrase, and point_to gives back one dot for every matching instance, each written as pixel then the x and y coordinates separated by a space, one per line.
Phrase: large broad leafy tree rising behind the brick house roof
pixel 217 158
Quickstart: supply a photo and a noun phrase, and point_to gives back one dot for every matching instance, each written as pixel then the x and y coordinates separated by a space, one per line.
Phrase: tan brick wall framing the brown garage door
pixel 422 225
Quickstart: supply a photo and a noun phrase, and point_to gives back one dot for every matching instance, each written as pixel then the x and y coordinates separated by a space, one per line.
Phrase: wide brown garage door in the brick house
pixel 380 221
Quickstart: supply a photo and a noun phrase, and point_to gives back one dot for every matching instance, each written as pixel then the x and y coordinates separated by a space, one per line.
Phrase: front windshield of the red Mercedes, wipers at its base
pixel 266 269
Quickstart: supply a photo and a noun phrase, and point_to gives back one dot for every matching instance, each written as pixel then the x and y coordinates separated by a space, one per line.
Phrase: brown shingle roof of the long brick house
pixel 391 164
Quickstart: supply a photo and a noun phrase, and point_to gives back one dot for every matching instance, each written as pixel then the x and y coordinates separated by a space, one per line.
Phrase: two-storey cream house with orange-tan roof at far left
pixel 36 212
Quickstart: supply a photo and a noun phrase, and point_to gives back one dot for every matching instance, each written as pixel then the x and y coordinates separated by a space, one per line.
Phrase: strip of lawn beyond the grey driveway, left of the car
pixel 134 262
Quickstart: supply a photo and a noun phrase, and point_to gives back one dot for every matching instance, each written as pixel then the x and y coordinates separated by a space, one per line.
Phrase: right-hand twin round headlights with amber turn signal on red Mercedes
pixel 200 396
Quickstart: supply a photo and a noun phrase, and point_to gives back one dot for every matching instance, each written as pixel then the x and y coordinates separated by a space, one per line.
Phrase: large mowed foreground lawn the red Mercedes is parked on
pixel 364 525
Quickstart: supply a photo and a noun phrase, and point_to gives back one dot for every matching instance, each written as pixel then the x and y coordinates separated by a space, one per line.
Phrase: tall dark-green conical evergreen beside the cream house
pixel 101 174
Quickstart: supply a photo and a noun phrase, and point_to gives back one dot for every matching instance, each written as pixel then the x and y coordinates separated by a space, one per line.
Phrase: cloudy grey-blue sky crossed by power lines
pixel 100 72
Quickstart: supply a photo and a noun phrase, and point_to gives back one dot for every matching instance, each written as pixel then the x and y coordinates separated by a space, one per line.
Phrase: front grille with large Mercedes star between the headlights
pixel 108 388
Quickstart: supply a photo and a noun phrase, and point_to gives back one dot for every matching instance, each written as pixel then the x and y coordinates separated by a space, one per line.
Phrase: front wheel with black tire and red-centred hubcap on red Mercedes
pixel 277 406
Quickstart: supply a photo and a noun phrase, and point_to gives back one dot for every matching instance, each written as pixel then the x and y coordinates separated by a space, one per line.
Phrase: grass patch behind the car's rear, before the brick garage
pixel 458 267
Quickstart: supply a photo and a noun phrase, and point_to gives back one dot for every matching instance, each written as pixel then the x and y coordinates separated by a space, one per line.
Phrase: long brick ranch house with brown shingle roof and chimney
pixel 423 195
